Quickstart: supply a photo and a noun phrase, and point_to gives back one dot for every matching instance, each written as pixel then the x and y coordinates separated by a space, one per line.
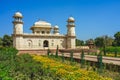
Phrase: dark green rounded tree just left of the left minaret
pixel 7 41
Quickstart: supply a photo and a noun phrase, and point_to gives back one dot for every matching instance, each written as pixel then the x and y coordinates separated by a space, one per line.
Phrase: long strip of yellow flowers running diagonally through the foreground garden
pixel 65 71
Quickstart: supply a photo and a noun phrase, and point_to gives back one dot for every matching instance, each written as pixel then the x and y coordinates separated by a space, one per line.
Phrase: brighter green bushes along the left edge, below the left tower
pixel 7 56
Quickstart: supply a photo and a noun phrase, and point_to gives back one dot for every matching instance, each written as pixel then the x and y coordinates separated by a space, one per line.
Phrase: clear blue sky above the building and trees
pixel 93 17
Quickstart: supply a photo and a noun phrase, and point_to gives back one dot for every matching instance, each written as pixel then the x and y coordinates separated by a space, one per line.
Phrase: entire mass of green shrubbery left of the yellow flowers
pixel 22 67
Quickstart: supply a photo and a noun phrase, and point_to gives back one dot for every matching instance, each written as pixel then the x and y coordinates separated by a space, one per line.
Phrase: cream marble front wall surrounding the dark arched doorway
pixel 37 42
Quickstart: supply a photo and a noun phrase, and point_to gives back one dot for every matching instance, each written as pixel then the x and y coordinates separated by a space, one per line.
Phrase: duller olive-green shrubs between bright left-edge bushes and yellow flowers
pixel 26 68
